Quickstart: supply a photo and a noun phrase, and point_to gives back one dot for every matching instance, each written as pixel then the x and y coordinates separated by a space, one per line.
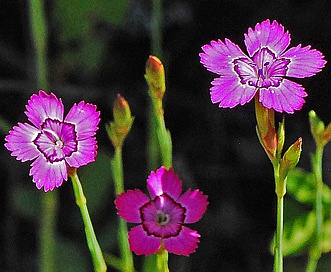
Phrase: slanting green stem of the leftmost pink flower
pixel 97 257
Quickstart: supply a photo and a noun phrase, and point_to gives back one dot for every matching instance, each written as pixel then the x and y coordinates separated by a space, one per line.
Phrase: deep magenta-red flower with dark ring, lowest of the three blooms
pixel 161 219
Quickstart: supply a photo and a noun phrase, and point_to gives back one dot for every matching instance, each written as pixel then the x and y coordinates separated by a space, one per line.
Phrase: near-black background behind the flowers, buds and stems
pixel 215 150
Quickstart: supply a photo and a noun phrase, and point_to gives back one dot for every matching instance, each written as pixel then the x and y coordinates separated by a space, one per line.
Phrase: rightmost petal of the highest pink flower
pixel 305 62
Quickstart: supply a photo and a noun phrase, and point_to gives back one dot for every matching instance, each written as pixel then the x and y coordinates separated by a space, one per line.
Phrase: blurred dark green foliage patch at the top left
pixel 77 24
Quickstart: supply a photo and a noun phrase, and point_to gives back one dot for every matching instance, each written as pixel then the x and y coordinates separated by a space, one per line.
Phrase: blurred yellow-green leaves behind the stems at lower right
pixel 299 227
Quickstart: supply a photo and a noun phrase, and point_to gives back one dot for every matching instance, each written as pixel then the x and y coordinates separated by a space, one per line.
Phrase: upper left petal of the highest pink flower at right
pixel 218 57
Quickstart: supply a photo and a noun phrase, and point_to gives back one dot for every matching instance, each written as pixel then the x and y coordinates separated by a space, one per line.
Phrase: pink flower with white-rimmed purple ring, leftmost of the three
pixel 53 142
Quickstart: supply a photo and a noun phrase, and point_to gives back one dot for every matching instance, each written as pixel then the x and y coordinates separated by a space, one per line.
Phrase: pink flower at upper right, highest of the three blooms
pixel 266 71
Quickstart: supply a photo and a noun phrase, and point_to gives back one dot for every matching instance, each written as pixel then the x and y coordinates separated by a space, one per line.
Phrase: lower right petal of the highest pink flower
pixel 288 96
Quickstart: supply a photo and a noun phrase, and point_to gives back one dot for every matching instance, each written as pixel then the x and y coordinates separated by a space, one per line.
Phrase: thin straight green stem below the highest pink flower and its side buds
pixel 280 191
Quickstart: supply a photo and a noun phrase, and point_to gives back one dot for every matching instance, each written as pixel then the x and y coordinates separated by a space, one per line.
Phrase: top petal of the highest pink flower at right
pixel 267 35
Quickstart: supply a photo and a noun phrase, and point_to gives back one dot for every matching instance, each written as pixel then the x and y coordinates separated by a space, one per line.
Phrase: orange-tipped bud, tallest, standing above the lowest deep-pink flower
pixel 155 77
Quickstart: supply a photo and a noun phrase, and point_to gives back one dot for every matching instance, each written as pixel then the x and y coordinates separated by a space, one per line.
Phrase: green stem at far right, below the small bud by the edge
pixel 316 250
